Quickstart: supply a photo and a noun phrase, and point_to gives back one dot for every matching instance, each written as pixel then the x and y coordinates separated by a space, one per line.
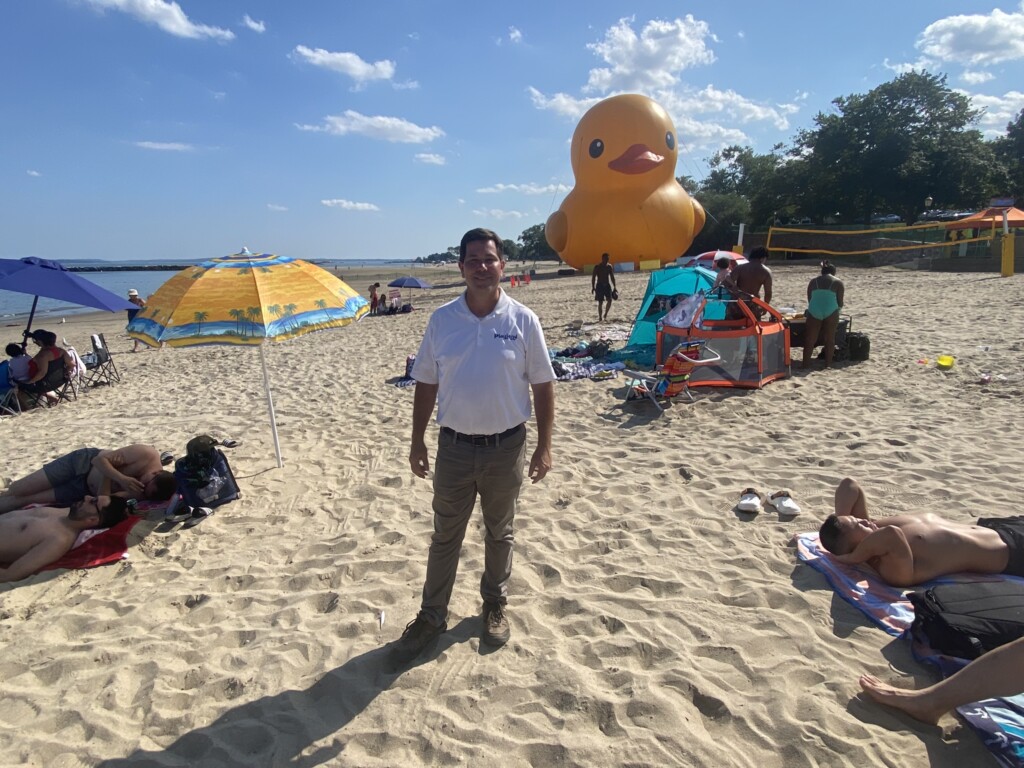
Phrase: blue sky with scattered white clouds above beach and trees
pixel 364 131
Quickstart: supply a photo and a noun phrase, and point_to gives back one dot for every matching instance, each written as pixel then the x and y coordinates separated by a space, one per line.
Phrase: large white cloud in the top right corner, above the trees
pixel 975 40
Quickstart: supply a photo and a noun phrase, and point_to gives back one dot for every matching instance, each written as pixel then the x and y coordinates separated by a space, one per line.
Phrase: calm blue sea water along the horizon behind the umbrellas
pixel 16 307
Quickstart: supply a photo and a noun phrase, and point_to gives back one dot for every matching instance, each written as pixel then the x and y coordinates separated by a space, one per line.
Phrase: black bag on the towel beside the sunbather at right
pixel 969 620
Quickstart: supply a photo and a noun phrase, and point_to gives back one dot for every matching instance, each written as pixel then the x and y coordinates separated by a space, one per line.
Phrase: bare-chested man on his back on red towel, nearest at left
pixel 32 539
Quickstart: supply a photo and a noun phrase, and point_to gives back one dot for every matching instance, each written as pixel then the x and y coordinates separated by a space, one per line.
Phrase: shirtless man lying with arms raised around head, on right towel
pixel 911 549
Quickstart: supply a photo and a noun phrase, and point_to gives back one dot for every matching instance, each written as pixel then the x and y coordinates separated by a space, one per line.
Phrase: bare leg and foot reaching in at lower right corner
pixel 997 674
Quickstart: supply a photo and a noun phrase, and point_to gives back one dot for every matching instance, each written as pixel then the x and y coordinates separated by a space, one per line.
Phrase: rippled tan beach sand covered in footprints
pixel 652 624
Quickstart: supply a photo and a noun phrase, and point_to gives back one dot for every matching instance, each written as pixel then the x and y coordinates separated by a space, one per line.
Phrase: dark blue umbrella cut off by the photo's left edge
pixel 53 280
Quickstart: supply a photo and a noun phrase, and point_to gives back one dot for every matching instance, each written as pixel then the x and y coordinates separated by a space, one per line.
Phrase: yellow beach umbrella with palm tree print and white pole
pixel 247 300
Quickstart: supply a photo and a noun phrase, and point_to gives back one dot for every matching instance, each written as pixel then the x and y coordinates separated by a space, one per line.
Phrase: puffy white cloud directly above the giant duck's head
pixel 652 60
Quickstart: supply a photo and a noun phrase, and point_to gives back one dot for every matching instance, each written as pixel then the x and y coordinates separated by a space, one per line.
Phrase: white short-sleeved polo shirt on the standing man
pixel 484 367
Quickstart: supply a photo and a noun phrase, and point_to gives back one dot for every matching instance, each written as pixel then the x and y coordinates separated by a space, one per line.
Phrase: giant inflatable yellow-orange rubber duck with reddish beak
pixel 626 202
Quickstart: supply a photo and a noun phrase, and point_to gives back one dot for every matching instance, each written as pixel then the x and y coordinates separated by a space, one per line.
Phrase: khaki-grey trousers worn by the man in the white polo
pixel 463 472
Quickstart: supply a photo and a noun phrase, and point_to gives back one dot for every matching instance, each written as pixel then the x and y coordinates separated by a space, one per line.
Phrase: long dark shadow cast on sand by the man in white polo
pixel 276 731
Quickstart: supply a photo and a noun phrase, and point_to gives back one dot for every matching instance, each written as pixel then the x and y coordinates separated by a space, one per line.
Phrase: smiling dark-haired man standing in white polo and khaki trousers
pixel 481 357
